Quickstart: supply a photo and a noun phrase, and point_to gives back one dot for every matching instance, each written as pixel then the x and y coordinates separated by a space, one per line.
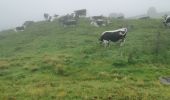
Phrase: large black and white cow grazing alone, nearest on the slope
pixel 114 36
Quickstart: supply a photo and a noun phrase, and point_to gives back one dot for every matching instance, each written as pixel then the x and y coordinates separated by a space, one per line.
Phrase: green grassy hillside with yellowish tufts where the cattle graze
pixel 48 61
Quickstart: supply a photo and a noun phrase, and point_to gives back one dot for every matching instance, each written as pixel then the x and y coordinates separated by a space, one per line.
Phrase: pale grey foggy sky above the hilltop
pixel 15 12
